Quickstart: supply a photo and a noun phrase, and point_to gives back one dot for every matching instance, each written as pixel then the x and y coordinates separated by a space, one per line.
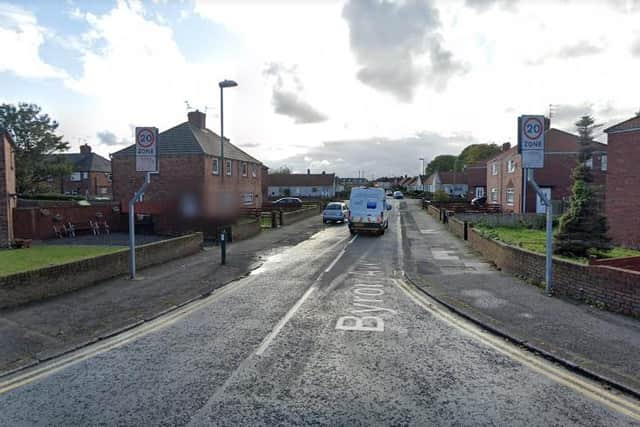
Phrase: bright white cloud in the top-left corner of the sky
pixel 21 38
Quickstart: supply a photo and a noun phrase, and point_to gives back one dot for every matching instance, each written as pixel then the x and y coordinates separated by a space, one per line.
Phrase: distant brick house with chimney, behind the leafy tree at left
pixel 91 175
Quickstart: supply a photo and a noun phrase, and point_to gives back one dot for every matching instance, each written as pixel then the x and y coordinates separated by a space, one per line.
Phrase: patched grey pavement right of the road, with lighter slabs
pixel 597 342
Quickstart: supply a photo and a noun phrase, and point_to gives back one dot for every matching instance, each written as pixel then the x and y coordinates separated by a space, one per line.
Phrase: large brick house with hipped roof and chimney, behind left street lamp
pixel 193 189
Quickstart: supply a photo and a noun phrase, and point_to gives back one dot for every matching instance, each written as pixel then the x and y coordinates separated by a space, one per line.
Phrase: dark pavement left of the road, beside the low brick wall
pixel 42 330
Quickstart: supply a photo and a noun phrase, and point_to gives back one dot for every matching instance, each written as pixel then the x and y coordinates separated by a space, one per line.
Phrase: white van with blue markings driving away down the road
pixel 368 210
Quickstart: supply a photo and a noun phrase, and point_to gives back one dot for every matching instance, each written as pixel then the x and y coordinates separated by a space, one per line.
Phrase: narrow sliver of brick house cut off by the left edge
pixel 7 188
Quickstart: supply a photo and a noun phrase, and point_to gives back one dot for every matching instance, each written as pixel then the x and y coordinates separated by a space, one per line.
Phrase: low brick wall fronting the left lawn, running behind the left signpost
pixel 34 285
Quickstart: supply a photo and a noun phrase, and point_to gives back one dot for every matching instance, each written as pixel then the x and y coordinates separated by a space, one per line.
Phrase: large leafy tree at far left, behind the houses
pixel 34 135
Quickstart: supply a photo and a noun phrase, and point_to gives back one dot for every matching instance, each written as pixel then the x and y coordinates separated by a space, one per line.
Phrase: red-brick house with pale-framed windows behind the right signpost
pixel 505 179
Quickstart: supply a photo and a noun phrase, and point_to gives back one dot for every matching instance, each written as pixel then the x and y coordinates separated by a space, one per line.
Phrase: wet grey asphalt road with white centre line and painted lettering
pixel 326 332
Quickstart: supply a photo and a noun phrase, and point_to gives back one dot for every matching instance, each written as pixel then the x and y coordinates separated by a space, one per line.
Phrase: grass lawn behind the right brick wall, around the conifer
pixel 535 240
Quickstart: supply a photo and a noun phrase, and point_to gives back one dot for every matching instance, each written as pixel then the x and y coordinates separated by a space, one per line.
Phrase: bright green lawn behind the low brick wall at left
pixel 17 260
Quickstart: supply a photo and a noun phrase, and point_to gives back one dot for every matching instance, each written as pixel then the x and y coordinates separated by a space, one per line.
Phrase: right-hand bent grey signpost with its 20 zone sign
pixel 531 148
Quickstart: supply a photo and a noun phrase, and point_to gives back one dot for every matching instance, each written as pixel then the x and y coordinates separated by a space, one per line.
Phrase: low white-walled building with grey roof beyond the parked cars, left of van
pixel 321 185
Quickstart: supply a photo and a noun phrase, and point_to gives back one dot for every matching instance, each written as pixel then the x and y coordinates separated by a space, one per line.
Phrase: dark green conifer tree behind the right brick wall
pixel 583 228
